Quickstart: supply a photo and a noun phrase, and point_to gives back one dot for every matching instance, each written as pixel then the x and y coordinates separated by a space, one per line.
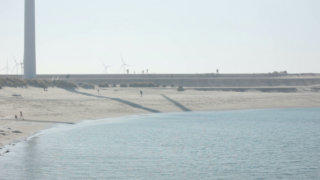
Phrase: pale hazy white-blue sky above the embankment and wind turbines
pixel 167 36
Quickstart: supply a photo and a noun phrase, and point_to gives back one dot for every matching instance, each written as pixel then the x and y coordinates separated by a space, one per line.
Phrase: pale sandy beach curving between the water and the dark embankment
pixel 43 109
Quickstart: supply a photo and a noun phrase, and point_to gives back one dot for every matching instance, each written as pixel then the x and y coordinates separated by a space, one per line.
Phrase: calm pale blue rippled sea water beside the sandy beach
pixel 245 144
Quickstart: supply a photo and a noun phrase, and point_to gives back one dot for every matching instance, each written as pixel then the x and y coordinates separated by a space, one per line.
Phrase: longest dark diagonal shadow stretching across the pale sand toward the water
pixel 134 105
